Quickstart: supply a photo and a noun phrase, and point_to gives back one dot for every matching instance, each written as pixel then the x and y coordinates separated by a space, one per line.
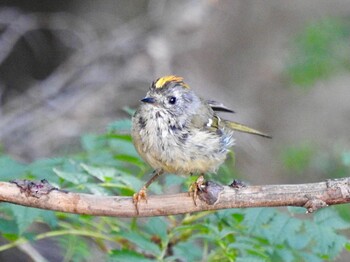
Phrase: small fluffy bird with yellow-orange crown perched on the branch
pixel 175 131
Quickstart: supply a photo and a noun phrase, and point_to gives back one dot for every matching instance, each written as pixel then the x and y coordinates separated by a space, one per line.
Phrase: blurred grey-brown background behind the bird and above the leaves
pixel 69 68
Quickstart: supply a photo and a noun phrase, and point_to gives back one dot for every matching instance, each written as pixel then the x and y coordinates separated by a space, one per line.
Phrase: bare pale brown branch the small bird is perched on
pixel 311 196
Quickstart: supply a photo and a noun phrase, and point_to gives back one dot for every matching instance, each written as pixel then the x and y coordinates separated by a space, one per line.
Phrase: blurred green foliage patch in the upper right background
pixel 321 50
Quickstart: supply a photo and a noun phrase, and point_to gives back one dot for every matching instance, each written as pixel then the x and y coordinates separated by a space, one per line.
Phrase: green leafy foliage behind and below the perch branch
pixel 109 165
